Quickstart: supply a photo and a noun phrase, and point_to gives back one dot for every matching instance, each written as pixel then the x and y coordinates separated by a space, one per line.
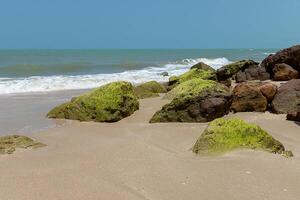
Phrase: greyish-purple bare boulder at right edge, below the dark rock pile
pixel 287 98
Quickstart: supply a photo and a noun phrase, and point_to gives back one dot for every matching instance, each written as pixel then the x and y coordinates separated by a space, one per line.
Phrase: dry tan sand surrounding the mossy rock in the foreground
pixel 133 159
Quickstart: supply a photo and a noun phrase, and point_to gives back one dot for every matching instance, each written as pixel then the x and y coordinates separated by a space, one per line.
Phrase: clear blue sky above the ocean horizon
pixel 149 23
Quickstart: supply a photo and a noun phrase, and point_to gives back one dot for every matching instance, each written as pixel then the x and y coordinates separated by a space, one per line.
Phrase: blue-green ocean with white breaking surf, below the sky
pixel 27 71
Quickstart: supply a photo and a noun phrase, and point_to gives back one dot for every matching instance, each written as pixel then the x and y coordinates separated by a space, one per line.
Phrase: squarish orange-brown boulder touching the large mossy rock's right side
pixel 248 97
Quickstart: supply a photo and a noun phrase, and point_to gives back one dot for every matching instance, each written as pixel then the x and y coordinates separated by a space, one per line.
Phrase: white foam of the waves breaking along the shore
pixel 56 83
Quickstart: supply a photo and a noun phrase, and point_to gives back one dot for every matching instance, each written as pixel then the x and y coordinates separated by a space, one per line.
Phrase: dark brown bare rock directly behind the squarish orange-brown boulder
pixel 253 72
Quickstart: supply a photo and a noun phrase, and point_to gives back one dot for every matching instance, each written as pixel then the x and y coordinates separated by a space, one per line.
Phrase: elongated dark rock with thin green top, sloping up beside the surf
pixel 228 71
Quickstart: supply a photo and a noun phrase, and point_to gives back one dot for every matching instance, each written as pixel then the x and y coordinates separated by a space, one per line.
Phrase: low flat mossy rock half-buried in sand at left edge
pixel 8 144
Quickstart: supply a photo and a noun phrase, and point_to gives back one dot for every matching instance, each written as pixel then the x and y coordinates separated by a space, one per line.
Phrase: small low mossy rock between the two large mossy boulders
pixel 149 89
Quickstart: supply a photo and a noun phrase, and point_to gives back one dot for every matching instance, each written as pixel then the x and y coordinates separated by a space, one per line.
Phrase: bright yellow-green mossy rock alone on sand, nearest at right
pixel 223 135
